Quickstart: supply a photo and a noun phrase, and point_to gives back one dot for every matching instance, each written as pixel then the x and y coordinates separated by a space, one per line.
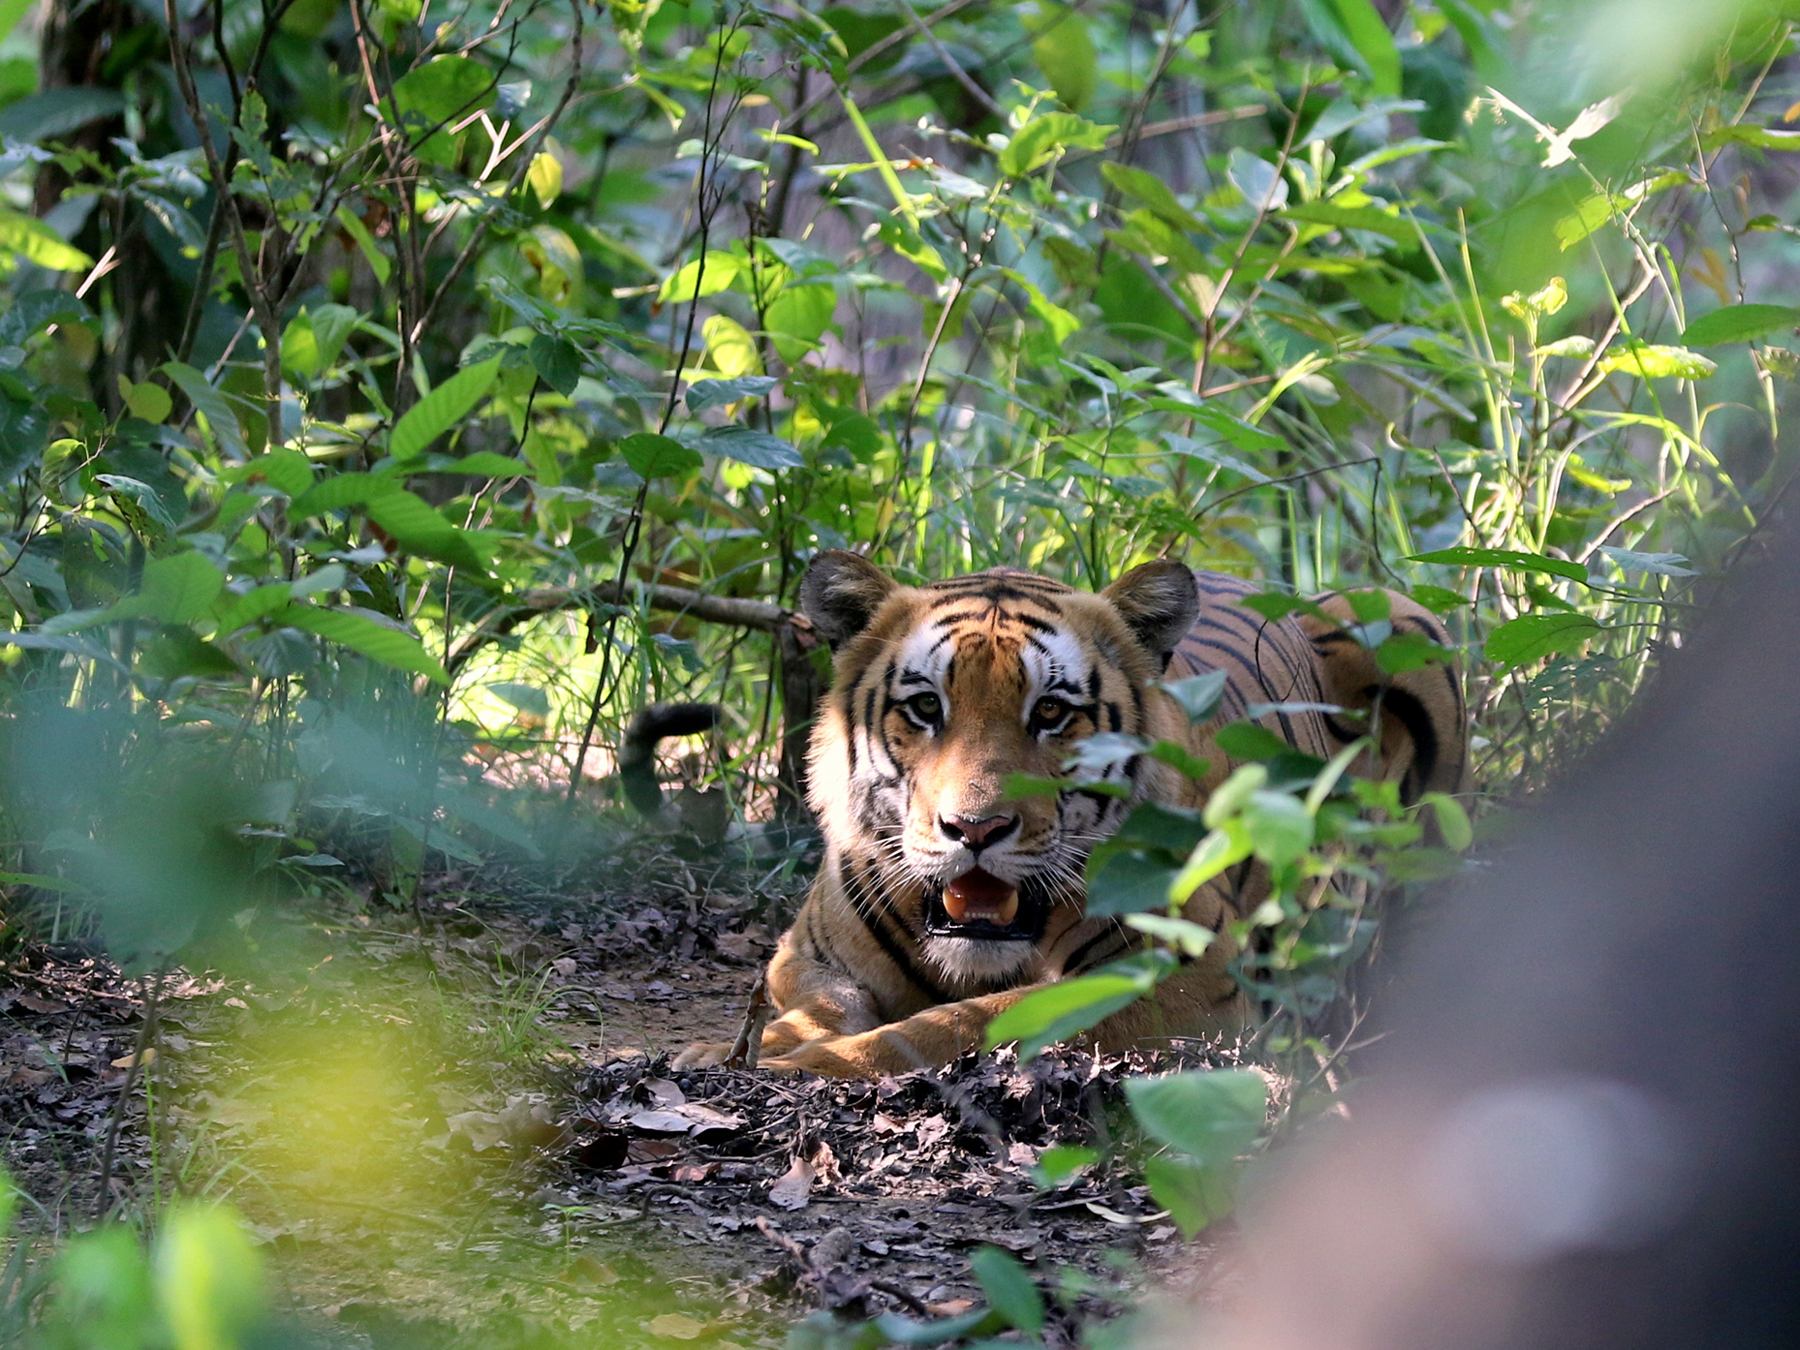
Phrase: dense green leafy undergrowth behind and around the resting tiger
pixel 397 397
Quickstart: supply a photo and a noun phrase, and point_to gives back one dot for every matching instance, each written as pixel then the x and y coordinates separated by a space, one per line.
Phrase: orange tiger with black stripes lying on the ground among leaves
pixel 940 901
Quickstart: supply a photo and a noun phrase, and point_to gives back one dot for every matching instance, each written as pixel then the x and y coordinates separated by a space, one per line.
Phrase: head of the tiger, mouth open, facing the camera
pixel 946 692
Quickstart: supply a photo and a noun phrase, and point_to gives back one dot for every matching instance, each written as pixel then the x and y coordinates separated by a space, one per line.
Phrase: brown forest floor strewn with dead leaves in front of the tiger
pixel 458 1124
